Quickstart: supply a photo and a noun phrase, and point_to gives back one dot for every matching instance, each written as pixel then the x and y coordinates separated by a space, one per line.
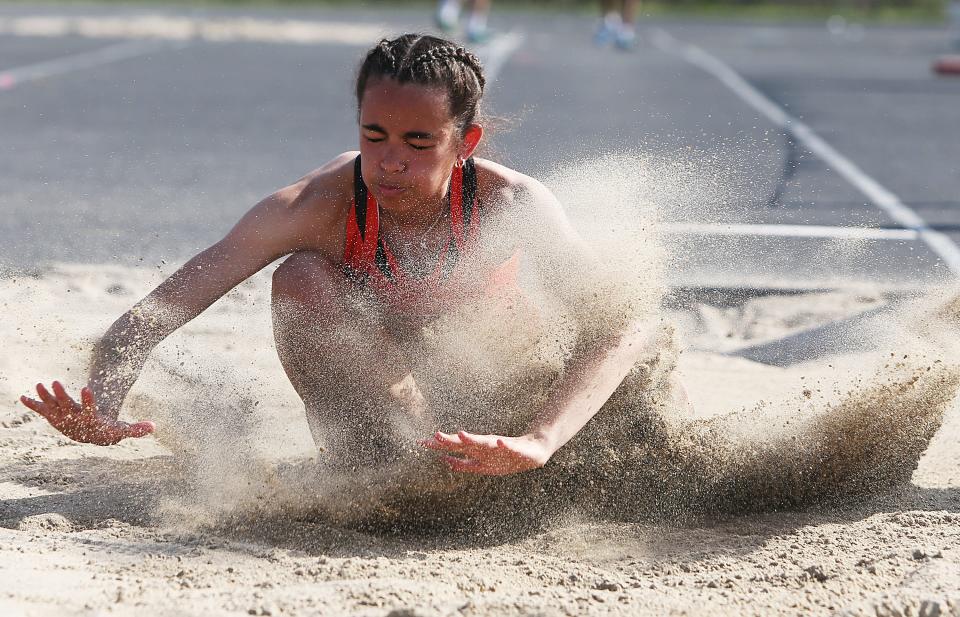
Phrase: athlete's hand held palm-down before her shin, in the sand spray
pixel 489 455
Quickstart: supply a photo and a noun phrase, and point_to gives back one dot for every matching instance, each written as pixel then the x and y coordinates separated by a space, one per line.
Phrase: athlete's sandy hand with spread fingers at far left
pixel 80 421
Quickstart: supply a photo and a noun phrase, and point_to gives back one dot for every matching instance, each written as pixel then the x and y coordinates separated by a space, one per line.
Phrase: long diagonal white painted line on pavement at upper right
pixel 881 197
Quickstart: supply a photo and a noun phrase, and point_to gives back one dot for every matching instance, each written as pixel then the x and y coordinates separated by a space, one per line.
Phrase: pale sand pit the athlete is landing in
pixel 134 529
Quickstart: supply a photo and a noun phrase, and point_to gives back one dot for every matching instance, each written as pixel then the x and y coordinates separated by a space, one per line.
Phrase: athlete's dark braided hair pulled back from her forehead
pixel 429 61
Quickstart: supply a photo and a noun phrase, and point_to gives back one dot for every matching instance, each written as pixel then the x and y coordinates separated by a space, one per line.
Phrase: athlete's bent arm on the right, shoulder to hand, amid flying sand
pixel 599 362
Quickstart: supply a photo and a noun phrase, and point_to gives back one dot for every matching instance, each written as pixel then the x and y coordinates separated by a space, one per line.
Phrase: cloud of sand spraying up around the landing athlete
pixel 847 431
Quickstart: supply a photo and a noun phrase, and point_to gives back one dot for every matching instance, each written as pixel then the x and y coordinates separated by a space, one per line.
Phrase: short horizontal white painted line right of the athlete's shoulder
pixel 789 231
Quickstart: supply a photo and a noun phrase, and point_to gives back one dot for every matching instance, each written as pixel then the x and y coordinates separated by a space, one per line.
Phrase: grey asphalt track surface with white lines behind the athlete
pixel 119 147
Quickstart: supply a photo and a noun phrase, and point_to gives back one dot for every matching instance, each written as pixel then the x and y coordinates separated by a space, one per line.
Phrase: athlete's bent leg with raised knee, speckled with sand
pixel 347 369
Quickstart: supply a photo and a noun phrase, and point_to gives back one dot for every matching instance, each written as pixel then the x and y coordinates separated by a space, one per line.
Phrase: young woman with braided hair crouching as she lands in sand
pixel 401 223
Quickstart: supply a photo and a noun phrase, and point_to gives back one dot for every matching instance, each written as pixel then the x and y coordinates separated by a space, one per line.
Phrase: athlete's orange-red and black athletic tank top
pixel 368 260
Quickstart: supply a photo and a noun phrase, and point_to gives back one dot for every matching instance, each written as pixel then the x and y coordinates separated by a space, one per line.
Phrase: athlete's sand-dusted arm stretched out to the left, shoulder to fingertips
pixel 302 216
